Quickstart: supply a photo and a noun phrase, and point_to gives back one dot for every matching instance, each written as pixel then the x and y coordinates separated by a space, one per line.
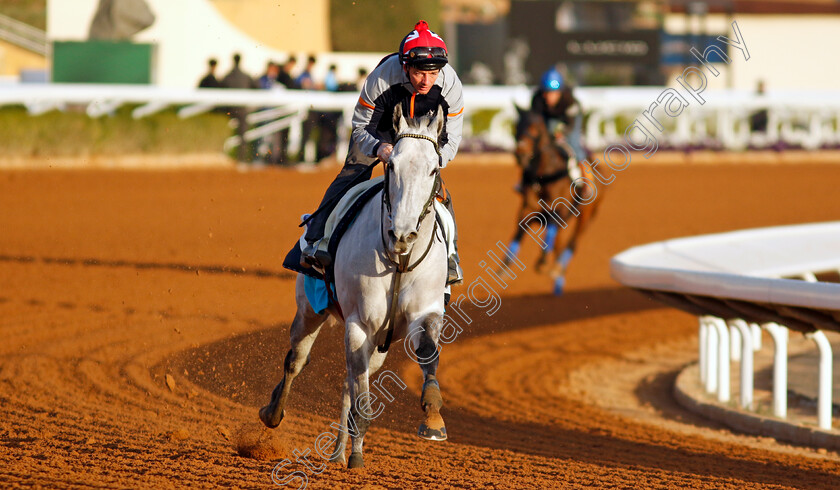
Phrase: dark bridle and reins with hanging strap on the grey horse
pixel 402 262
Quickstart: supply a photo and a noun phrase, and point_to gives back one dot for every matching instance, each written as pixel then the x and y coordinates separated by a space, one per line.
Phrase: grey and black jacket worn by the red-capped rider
pixel 388 85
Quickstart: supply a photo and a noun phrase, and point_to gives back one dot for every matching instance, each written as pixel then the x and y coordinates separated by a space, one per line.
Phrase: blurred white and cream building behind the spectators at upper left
pixel 186 33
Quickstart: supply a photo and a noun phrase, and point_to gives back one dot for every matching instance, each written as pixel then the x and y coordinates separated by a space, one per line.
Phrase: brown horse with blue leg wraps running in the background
pixel 549 167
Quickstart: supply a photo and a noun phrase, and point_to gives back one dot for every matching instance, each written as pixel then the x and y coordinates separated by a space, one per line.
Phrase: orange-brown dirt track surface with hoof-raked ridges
pixel 144 315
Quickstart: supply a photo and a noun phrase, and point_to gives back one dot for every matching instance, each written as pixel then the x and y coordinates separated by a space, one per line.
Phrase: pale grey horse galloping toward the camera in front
pixel 390 275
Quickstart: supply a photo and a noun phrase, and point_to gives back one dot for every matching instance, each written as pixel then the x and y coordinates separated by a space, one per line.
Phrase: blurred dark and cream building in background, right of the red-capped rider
pixel 642 42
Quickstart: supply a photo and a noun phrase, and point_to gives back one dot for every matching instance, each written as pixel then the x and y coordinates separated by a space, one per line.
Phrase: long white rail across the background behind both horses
pixel 806 119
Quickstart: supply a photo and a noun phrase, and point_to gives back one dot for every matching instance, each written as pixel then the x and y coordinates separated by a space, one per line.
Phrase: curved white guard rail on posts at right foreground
pixel 743 281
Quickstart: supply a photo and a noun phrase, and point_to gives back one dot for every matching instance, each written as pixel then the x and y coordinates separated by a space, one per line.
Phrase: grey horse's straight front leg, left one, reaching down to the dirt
pixel 358 350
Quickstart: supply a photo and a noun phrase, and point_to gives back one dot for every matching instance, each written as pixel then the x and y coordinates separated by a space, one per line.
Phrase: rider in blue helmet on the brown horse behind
pixel 561 111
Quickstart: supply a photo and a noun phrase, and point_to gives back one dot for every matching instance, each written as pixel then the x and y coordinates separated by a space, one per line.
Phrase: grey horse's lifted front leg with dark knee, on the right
pixel 426 334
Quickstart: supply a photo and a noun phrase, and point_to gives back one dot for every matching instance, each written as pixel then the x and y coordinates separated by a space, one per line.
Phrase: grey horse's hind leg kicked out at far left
pixel 304 330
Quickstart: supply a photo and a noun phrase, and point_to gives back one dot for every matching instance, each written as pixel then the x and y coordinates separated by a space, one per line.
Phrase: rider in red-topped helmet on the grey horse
pixel 419 78
